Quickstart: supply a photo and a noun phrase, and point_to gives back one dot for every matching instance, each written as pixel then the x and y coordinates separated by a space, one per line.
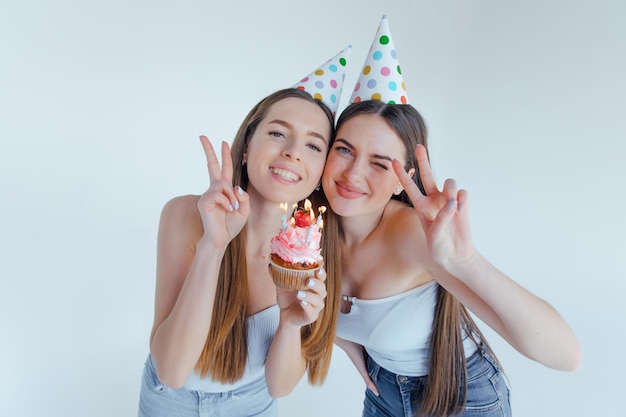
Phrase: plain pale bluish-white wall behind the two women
pixel 101 105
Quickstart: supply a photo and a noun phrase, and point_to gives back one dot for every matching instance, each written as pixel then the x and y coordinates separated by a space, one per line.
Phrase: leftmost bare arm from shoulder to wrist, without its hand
pixel 185 291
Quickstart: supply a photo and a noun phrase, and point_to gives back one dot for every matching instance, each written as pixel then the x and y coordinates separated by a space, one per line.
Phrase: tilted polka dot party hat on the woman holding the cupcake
pixel 326 82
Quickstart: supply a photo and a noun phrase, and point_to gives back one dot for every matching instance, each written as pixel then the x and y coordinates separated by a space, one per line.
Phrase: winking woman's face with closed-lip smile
pixel 358 178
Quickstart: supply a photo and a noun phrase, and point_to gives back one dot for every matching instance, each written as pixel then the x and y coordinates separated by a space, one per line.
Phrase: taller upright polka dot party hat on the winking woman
pixel 381 76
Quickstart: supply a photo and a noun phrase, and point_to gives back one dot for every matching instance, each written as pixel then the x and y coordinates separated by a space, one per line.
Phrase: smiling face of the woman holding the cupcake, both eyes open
pixel 285 157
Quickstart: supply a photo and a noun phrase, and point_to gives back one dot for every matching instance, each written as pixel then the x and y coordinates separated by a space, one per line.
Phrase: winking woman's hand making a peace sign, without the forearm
pixel 443 214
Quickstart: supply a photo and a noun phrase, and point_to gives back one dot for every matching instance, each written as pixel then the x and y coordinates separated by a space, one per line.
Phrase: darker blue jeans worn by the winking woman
pixel 487 390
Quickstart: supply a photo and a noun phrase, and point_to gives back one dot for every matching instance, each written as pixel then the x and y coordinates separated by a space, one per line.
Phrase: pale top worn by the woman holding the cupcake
pixel 261 329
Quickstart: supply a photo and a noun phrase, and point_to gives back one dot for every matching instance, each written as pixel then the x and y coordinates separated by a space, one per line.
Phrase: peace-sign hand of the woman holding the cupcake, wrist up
pixel 224 209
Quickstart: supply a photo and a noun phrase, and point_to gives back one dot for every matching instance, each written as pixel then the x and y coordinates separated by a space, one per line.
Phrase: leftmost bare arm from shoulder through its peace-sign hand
pixel 193 235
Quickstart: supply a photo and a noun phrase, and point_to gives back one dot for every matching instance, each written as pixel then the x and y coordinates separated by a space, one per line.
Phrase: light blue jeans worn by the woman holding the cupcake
pixel 159 400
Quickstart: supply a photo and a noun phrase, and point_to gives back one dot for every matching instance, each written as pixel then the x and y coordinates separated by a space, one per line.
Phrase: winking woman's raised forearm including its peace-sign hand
pixel 528 323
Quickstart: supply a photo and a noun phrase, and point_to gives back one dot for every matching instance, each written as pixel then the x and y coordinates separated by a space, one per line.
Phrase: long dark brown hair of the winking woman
pixel 446 383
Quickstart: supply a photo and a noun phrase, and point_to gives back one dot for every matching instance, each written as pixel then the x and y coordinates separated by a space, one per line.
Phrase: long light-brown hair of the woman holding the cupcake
pixel 225 352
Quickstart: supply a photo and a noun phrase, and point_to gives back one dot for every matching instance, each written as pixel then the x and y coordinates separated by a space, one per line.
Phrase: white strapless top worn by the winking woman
pixel 395 330
